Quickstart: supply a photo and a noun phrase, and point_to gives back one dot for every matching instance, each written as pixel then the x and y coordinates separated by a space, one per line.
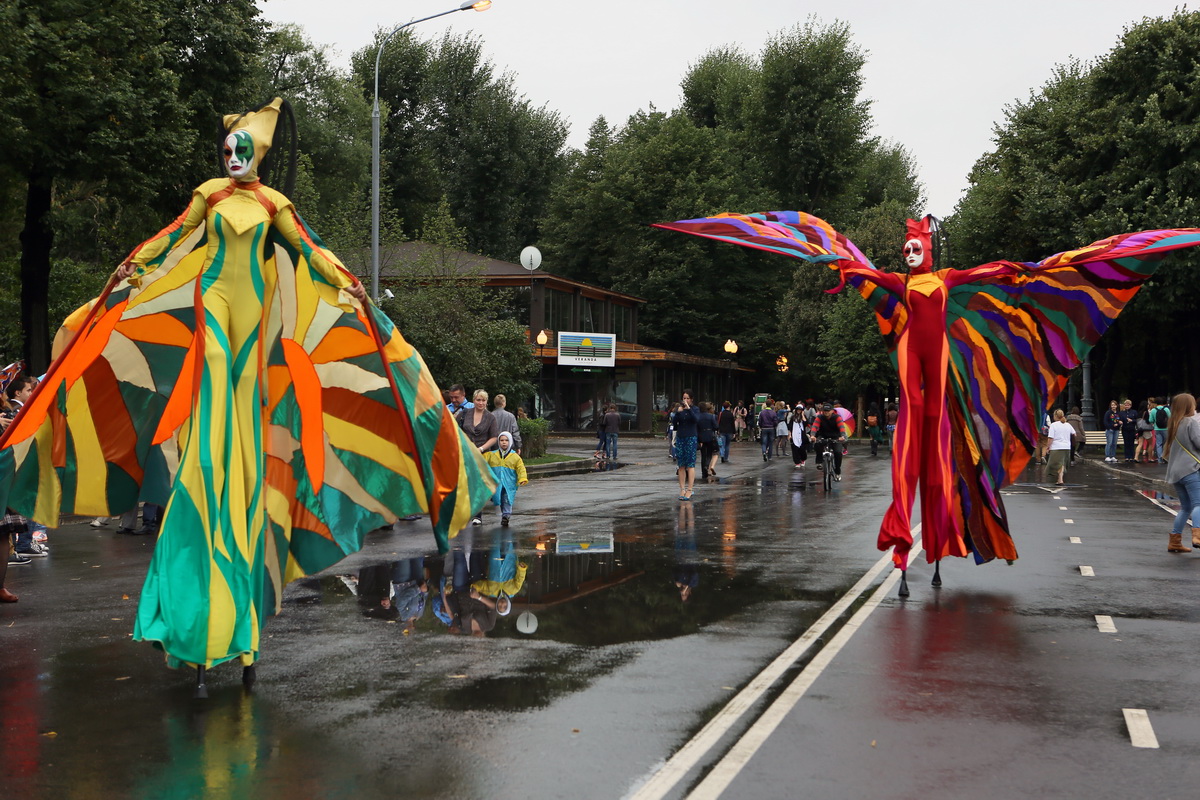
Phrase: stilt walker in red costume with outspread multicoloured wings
pixel 981 356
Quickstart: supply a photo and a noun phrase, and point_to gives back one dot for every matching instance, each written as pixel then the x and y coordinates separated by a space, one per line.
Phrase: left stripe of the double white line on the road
pixel 665 779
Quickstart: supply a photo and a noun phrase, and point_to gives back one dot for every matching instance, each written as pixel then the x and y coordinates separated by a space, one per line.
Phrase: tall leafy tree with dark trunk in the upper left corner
pixel 97 98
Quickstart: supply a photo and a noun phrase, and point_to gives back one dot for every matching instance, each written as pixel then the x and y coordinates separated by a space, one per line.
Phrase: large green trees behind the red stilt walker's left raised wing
pixel 787 130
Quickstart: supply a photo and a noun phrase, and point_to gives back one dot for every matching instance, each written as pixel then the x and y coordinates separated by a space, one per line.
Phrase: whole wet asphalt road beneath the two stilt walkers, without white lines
pixel 997 685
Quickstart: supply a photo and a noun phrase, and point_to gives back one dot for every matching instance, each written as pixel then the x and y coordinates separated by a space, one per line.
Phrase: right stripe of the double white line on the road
pixel 723 774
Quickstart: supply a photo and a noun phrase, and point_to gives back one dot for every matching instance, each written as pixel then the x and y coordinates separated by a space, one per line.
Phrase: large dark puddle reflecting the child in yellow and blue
pixel 616 582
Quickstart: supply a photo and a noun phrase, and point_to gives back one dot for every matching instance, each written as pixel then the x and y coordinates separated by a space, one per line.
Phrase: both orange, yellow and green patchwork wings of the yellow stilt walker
pixel 356 435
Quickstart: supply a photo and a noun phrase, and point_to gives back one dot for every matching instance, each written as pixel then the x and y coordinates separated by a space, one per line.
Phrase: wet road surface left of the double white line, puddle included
pixel 592 584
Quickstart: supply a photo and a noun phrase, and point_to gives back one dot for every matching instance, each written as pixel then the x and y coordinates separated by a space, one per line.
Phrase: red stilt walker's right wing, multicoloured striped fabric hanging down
pixel 1017 330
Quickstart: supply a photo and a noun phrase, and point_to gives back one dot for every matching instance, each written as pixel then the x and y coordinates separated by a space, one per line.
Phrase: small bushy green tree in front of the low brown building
pixel 445 311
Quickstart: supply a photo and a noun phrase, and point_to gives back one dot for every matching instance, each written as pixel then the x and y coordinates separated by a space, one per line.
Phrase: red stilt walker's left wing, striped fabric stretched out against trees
pixel 806 237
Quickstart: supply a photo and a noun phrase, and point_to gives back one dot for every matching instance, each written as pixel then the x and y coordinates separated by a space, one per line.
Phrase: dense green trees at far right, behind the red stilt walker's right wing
pixel 1103 151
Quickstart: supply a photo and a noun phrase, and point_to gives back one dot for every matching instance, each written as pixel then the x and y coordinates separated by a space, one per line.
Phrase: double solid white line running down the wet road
pixel 665 779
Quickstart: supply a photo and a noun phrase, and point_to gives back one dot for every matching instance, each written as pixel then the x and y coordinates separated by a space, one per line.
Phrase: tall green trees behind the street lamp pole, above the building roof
pixel 455 130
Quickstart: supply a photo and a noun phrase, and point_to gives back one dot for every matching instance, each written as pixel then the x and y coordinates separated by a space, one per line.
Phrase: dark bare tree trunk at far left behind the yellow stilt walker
pixel 35 273
